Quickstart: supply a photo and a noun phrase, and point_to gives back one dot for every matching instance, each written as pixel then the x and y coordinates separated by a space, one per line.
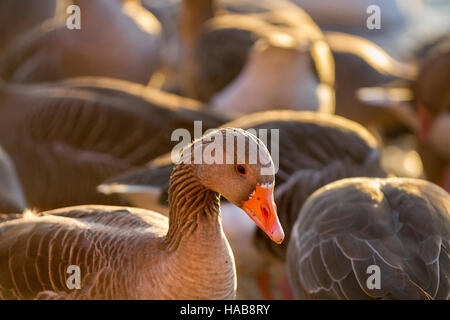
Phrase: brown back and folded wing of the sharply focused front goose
pixel 96 239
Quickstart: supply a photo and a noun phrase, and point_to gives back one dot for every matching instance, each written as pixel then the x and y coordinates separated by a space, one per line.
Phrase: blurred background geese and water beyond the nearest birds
pixel 158 65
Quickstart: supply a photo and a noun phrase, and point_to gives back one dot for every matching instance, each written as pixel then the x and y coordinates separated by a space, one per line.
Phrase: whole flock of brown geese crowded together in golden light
pixel 86 177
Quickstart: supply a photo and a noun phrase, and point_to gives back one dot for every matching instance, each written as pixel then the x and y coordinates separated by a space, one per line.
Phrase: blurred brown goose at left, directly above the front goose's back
pixel 65 138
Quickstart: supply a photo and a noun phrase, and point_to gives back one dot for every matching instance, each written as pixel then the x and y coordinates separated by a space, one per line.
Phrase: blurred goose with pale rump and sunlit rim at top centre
pixel 291 55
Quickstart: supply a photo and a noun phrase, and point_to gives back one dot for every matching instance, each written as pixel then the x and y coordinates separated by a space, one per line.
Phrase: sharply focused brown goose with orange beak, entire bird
pixel 130 253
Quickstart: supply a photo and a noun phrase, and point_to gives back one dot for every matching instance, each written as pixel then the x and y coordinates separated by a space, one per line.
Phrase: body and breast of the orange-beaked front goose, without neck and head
pixel 119 253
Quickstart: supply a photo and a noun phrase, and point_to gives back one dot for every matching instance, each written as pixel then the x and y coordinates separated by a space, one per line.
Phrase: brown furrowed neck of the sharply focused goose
pixel 189 200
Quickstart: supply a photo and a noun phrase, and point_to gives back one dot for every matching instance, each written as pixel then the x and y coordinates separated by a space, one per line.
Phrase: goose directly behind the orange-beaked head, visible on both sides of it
pixel 314 149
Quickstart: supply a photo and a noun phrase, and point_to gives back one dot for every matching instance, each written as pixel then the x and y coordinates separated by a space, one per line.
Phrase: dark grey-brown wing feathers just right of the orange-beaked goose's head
pixel 325 153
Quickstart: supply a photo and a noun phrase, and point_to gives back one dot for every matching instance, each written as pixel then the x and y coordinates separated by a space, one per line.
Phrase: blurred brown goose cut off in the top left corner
pixel 17 16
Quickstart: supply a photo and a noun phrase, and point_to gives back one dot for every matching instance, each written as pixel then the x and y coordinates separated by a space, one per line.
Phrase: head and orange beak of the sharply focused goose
pixel 238 166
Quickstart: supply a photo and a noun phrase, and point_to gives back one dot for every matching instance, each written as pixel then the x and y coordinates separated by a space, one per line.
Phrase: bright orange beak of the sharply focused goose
pixel 262 210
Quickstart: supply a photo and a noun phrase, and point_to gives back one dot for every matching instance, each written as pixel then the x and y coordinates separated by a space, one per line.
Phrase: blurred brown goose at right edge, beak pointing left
pixel 423 104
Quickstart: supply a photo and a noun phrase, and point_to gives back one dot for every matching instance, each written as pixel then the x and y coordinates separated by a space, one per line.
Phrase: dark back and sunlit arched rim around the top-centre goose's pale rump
pixel 212 66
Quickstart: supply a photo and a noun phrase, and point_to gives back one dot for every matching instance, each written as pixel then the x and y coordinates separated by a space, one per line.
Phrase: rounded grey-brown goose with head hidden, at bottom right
pixel 351 227
